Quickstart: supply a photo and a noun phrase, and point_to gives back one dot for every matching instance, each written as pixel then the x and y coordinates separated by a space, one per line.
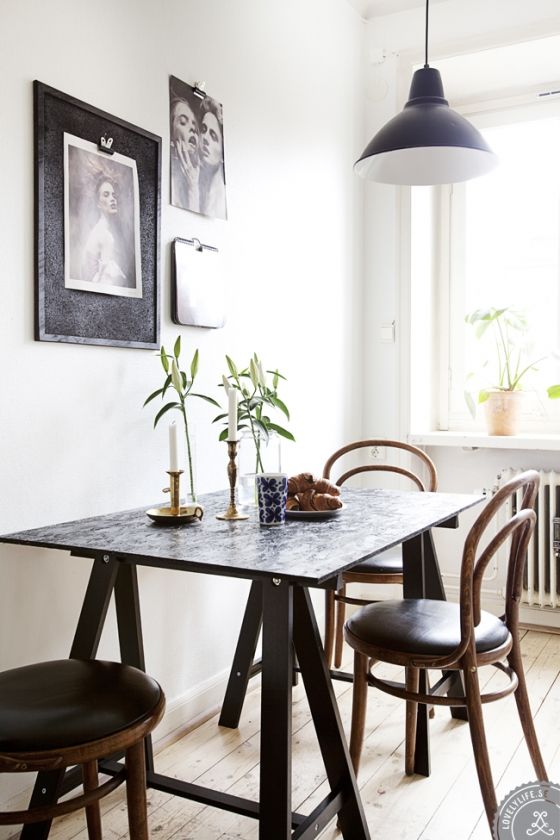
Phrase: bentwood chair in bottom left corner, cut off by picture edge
pixel 54 715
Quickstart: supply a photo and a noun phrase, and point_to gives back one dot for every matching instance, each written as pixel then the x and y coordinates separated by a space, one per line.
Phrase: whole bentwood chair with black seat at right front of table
pixel 422 634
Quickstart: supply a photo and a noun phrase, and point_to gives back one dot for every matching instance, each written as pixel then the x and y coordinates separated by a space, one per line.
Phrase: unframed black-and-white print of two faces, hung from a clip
pixel 198 180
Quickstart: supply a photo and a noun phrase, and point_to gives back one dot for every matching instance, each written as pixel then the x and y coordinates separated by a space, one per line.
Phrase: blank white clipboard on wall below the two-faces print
pixel 197 294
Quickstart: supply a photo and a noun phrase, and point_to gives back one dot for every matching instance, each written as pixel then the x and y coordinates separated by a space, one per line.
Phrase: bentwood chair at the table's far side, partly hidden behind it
pixel 385 568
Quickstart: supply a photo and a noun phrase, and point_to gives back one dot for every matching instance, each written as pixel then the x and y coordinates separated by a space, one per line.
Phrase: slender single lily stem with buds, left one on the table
pixel 181 383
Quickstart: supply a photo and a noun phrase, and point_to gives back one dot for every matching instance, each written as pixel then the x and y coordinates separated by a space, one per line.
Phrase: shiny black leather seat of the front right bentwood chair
pixel 430 628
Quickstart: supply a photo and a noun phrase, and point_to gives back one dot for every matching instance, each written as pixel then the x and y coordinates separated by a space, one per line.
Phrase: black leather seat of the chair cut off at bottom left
pixel 52 705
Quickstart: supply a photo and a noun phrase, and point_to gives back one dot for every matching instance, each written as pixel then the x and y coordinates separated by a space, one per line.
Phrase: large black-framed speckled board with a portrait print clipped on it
pixel 123 310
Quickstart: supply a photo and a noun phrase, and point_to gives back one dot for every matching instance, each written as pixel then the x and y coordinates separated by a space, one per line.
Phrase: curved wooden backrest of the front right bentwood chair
pixel 518 528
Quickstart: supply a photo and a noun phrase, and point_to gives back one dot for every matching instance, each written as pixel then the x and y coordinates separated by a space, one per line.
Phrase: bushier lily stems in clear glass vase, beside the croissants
pixel 258 398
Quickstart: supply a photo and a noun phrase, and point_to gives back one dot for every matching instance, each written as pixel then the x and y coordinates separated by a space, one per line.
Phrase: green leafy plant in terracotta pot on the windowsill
pixel 506 331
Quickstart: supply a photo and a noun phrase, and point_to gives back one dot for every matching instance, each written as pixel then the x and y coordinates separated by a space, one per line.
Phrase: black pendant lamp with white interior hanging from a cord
pixel 428 142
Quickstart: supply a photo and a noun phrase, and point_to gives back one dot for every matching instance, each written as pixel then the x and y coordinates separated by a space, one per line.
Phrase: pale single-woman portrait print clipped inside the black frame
pixel 101 221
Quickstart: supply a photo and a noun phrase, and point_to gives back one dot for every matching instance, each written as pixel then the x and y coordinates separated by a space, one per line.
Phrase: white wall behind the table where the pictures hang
pixel 74 440
